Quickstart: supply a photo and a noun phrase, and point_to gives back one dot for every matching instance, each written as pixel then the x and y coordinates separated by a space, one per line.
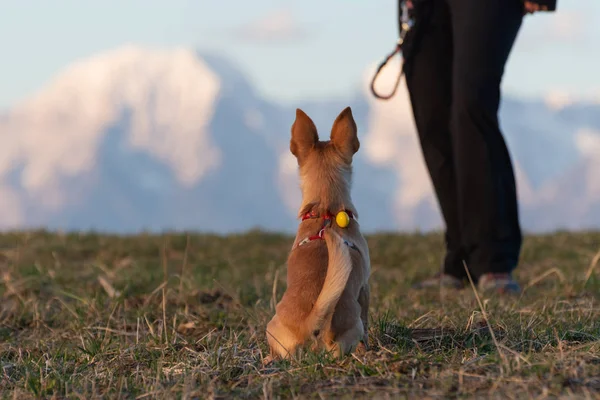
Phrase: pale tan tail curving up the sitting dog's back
pixel 338 271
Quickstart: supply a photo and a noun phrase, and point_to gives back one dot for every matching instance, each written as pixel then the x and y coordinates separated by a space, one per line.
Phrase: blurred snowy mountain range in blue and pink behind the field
pixel 138 138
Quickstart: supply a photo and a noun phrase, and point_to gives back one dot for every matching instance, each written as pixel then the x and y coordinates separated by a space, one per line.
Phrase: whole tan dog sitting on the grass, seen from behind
pixel 327 297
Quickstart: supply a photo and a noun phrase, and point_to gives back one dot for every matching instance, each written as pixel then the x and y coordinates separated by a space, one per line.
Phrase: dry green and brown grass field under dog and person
pixel 178 316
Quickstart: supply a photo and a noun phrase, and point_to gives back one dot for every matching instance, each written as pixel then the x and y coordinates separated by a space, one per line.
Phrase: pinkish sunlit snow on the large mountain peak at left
pixel 169 97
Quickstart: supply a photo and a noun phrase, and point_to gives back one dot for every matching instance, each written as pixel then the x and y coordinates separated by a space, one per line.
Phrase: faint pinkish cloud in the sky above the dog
pixel 278 26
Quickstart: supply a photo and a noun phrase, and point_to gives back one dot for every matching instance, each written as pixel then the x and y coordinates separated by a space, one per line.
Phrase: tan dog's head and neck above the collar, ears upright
pixel 325 166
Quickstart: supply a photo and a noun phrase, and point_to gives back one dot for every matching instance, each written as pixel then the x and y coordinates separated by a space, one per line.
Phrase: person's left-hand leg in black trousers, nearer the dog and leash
pixel 429 81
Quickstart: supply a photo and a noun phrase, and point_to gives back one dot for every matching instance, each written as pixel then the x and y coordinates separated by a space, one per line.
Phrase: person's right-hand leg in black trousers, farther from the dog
pixel 484 33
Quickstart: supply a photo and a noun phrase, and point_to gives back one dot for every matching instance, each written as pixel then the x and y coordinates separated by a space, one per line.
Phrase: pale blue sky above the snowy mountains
pixel 319 48
